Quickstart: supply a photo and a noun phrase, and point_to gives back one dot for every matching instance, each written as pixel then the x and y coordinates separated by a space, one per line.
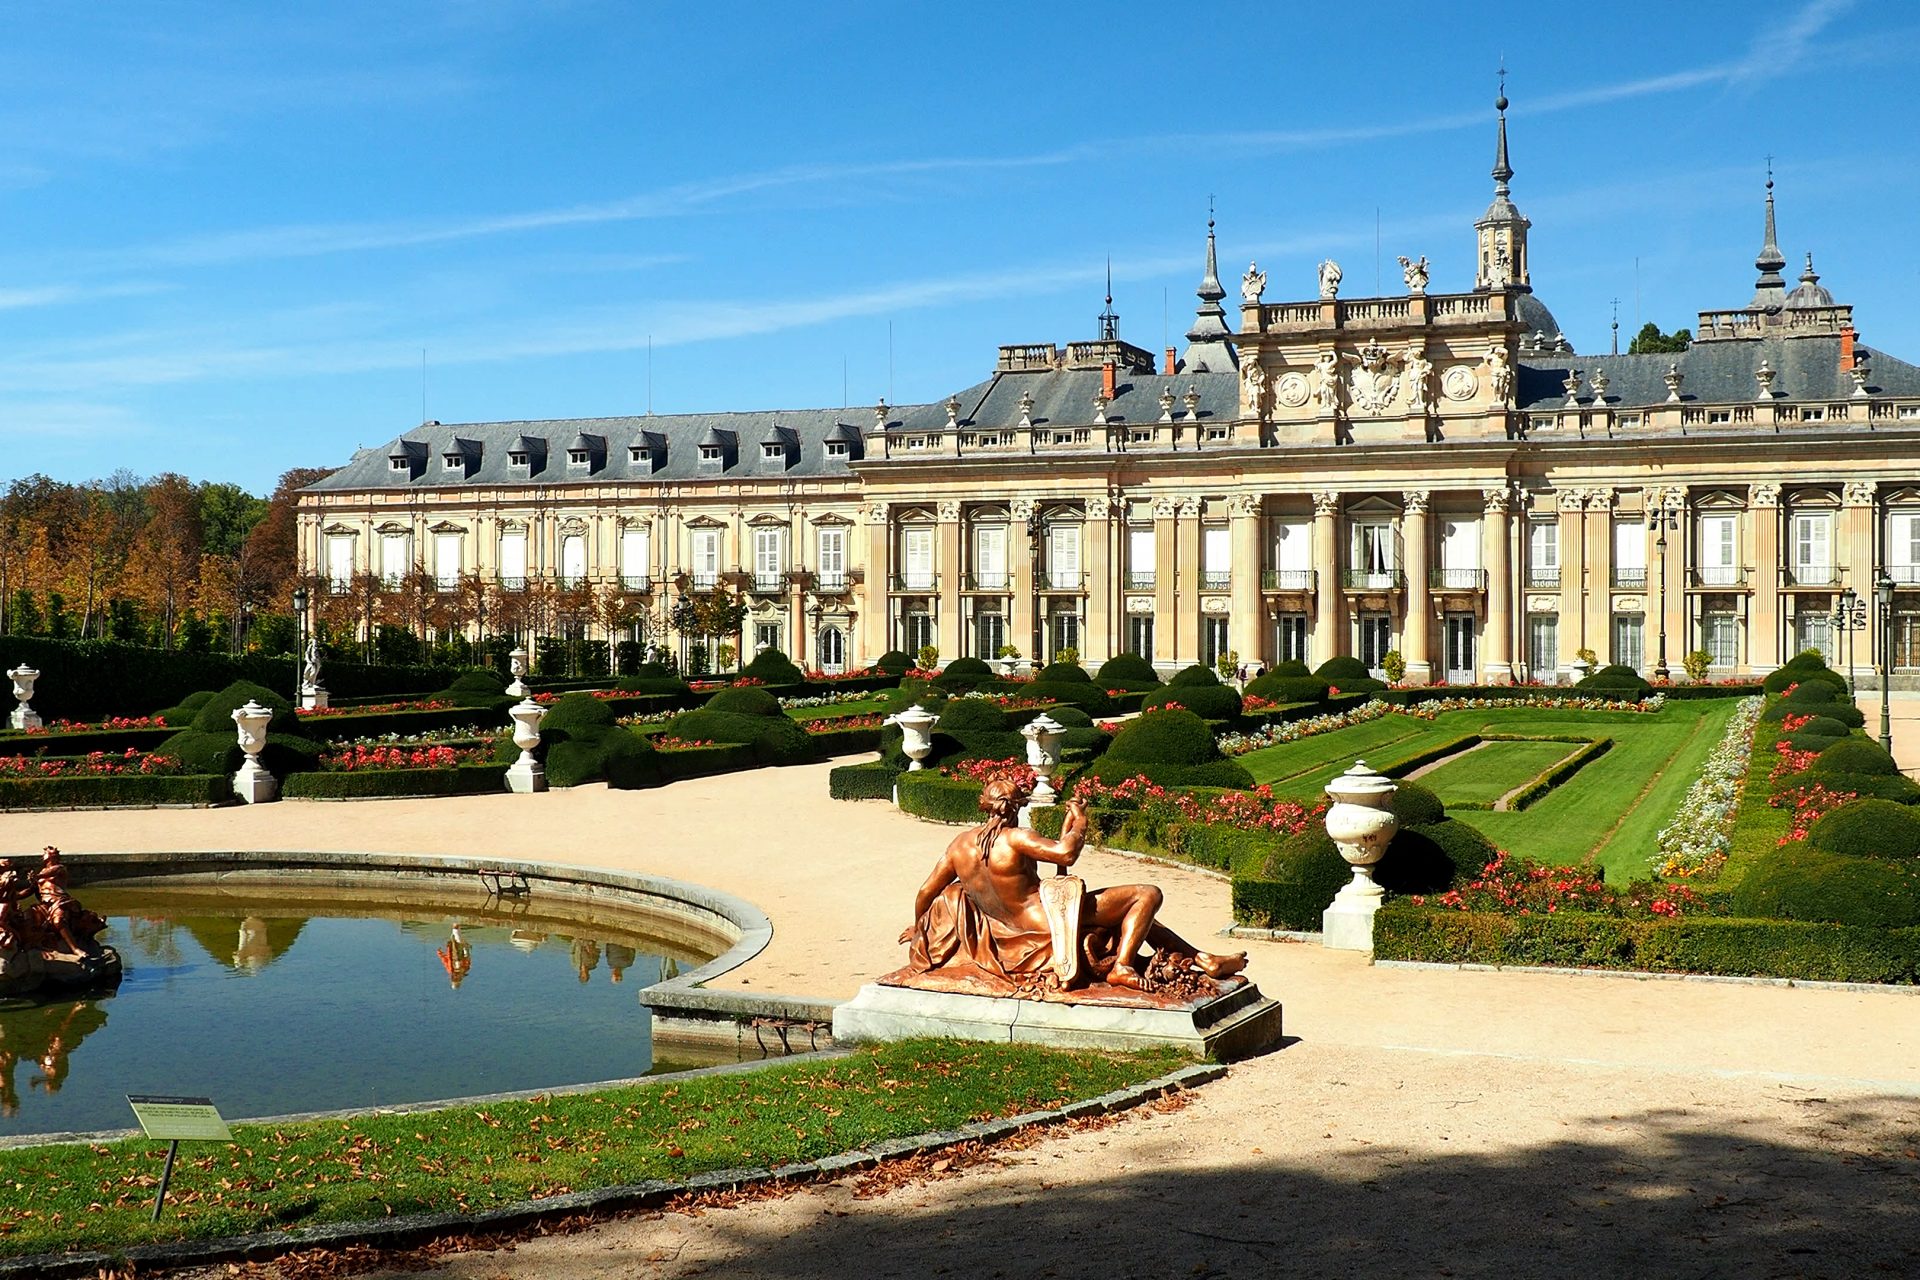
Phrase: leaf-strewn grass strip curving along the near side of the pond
pixel 475 1158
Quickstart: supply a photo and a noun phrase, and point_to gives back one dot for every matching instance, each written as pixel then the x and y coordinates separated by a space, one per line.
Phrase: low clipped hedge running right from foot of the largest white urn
pixel 1692 945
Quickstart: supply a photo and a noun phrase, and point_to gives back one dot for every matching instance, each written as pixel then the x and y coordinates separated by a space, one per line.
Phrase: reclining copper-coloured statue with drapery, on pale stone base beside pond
pixel 988 924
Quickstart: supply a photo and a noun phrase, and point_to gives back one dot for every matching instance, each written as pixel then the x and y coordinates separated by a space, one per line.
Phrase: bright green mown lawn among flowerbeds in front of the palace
pixel 1608 813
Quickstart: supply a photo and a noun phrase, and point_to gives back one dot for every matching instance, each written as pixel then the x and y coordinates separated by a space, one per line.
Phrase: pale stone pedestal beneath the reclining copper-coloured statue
pixel 1236 1024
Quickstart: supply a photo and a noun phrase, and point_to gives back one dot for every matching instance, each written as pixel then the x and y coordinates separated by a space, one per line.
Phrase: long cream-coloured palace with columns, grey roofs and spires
pixel 1437 475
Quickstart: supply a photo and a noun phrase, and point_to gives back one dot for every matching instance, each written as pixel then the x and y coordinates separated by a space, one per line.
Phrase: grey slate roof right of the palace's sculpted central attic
pixel 1717 373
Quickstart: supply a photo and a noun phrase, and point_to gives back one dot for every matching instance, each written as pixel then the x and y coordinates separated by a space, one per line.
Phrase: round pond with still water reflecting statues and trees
pixel 299 999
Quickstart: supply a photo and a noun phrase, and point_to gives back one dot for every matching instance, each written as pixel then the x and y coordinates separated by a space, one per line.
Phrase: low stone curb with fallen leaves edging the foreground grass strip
pixel 421 1227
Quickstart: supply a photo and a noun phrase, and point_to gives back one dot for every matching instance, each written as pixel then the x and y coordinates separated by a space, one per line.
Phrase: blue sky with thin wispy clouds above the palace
pixel 231 229
